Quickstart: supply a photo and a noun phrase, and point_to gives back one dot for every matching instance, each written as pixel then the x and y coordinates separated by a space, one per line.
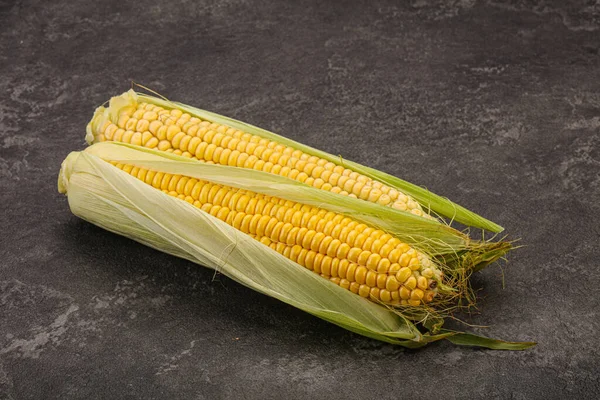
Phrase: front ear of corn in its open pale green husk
pixel 212 214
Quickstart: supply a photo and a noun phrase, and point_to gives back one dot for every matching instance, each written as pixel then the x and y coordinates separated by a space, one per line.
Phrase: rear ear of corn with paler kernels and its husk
pixel 183 130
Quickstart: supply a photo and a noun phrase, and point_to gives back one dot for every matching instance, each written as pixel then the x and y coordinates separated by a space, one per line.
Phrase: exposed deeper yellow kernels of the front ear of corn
pixel 357 257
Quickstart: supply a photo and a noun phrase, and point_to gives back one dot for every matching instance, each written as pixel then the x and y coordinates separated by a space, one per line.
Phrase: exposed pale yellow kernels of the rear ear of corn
pixel 180 133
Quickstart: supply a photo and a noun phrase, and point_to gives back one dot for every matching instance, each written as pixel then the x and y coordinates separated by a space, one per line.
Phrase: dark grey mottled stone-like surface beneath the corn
pixel 495 104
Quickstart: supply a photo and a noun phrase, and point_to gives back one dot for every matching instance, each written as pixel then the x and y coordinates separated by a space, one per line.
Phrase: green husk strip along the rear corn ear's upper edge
pixel 437 204
